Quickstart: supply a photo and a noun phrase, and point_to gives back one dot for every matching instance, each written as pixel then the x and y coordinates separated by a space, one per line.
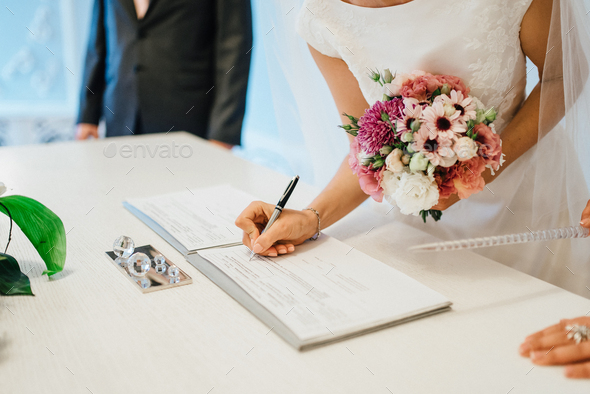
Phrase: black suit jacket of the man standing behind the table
pixel 184 66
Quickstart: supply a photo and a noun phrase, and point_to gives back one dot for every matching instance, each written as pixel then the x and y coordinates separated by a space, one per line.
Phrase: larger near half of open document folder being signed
pixel 323 292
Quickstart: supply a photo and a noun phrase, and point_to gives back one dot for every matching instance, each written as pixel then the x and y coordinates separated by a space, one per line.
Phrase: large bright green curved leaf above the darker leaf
pixel 42 227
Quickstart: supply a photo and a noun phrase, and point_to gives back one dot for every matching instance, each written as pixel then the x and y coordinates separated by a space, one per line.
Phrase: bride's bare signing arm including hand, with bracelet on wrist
pixel 341 196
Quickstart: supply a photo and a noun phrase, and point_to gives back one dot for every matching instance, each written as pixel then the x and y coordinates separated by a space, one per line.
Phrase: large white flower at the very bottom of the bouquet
pixel 415 192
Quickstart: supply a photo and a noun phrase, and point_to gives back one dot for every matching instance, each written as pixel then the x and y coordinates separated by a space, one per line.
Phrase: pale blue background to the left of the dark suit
pixel 42 45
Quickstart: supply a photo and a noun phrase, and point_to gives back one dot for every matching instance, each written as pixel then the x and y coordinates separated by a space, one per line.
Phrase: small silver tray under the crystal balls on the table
pixel 153 281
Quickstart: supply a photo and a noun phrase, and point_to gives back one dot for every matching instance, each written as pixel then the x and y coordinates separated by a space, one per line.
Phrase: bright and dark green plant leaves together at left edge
pixel 46 232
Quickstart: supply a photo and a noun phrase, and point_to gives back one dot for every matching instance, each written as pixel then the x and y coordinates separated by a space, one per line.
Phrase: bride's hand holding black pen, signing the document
pixel 290 229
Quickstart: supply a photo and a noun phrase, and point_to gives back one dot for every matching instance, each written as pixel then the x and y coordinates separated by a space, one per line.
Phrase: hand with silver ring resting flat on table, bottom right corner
pixel 551 346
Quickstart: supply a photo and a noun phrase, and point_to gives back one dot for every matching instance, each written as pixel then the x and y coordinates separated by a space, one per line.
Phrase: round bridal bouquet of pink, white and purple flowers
pixel 425 141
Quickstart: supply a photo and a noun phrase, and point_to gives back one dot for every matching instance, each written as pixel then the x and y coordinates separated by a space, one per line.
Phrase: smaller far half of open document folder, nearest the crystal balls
pixel 194 220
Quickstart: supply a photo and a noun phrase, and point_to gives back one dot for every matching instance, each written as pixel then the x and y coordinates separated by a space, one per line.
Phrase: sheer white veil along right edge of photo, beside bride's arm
pixel 561 167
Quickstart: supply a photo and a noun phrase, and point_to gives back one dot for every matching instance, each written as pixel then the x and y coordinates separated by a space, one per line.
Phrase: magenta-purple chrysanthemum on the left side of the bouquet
pixel 374 132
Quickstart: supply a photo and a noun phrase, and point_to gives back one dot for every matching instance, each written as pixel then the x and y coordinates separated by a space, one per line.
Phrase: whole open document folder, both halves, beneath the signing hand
pixel 324 292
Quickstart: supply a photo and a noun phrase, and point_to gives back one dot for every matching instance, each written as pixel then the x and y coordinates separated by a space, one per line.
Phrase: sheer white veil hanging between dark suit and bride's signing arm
pixel 306 115
